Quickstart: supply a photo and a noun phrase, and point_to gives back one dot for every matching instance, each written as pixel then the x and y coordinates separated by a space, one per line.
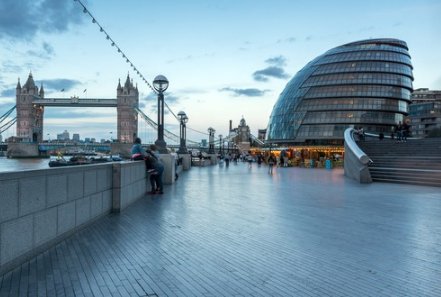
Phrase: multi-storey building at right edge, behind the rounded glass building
pixel 425 112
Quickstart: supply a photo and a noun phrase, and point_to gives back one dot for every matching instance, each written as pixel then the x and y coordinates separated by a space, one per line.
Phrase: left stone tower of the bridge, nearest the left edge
pixel 29 116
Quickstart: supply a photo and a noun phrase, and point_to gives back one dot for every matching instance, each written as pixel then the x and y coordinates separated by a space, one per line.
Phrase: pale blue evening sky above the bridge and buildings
pixel 224 59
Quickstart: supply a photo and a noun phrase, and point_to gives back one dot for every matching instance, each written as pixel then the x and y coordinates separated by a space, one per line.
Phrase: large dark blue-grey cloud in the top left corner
pixel 24 19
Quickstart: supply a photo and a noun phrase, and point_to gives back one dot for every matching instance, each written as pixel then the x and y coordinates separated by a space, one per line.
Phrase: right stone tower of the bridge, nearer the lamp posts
pixel 127 99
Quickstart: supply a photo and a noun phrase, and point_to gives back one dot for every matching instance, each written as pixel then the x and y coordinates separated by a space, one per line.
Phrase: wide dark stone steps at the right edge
pixel 417 161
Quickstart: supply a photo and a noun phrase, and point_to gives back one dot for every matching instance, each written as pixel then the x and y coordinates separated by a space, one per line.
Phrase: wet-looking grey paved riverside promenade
pixel 241 232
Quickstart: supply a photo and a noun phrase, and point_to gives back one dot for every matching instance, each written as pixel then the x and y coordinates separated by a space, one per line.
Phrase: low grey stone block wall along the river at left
pixel 39 208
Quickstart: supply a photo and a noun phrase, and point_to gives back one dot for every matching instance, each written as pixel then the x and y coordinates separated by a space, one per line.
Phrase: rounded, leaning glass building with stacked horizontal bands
pixel 365 84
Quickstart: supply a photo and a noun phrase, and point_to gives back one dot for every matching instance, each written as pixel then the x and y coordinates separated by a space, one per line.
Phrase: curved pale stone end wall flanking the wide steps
pixel 356 161
